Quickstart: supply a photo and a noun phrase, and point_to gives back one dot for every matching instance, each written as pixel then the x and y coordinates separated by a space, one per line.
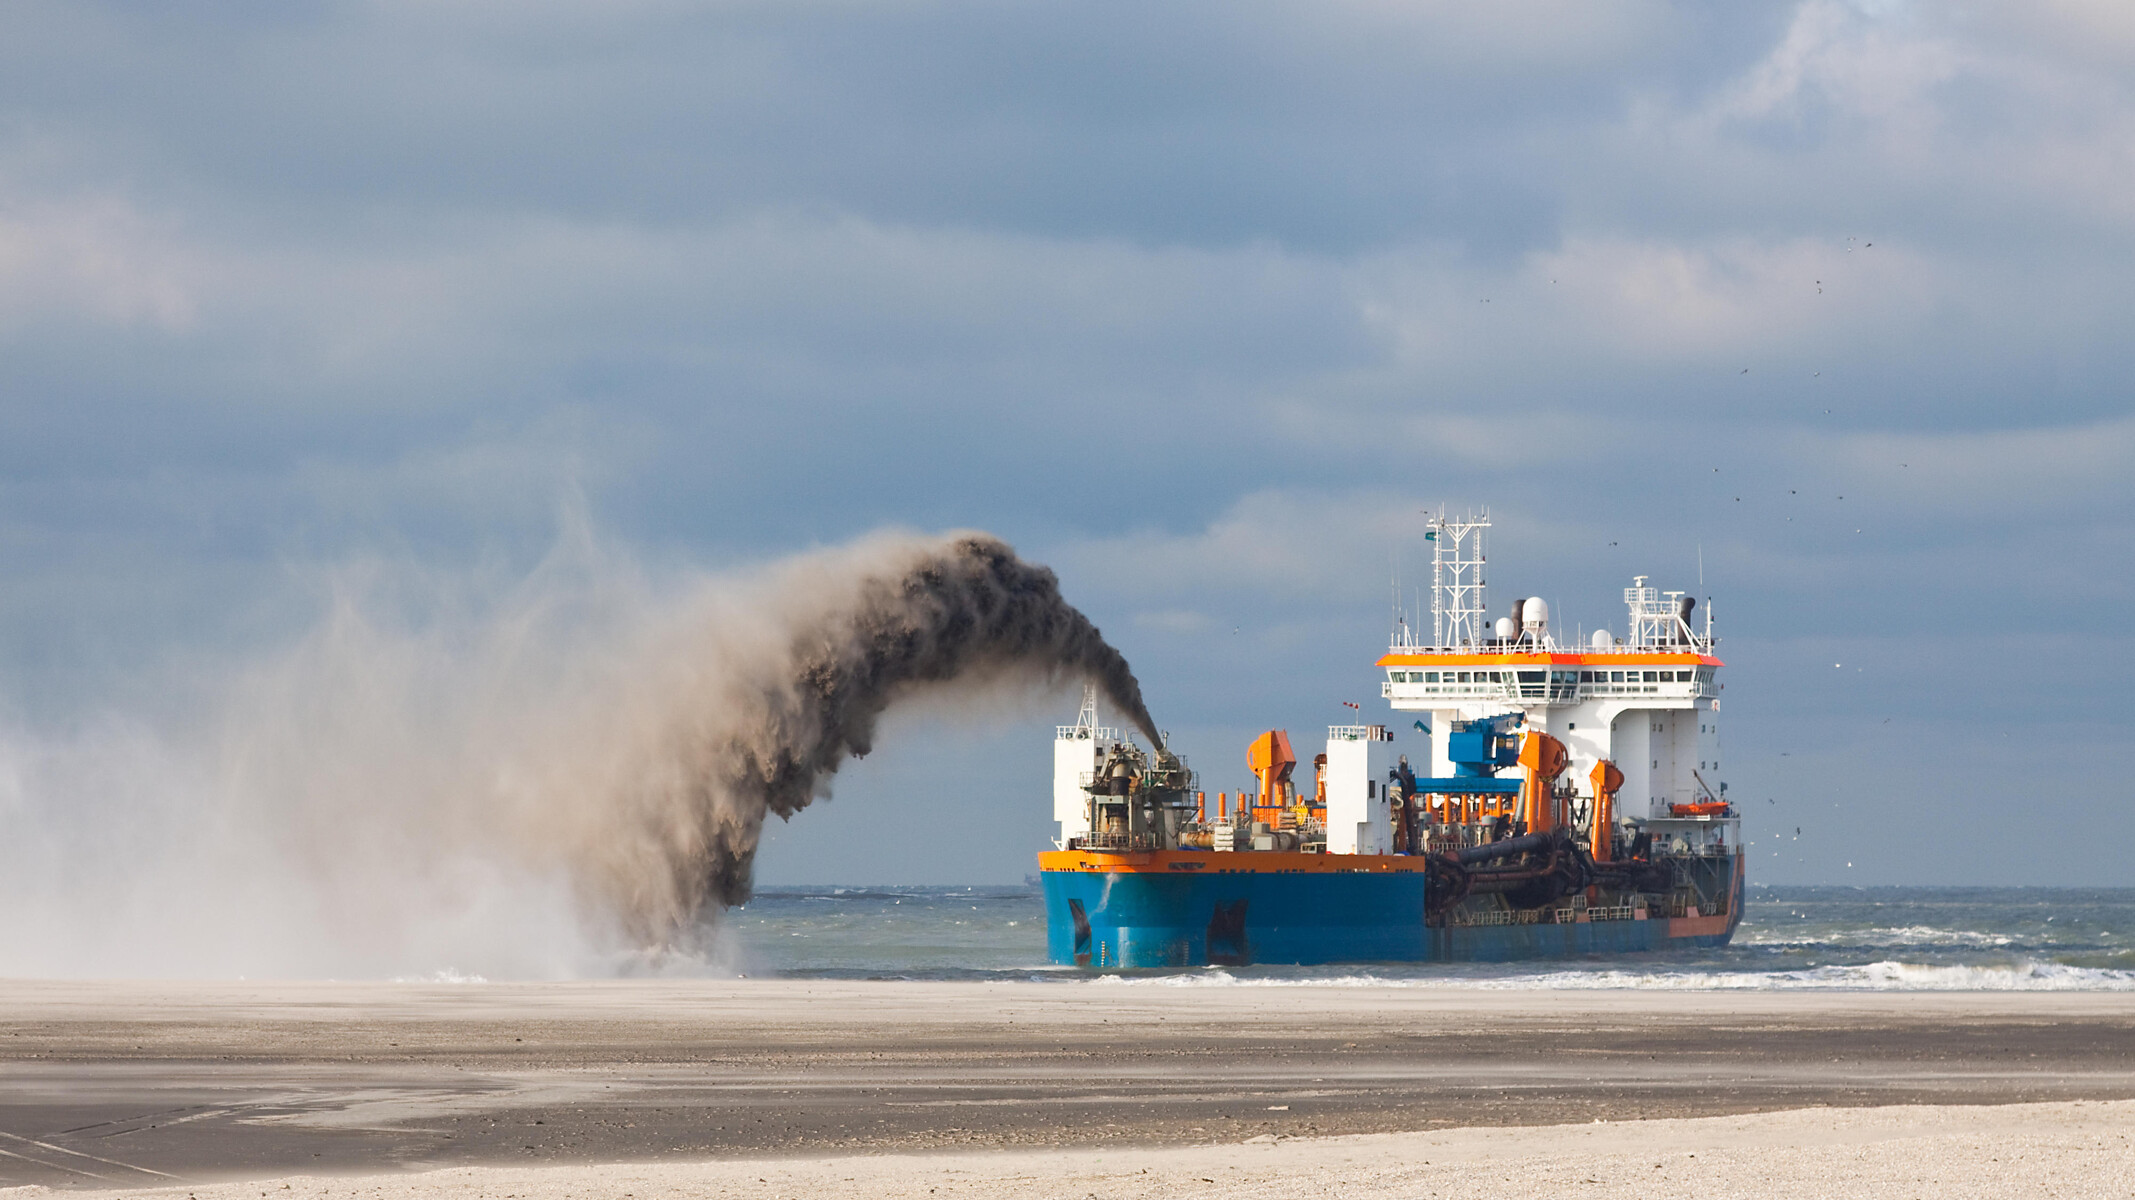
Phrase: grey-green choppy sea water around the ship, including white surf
pixel 1790 938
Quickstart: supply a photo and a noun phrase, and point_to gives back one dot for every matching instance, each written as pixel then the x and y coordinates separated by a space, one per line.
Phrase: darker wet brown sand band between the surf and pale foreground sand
pixel 138 1086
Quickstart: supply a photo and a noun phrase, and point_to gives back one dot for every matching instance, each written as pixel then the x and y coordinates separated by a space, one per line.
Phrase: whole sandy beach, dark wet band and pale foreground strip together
pixel 1056 1090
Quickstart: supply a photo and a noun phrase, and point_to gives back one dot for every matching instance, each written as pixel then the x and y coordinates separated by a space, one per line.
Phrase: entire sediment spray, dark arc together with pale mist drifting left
pixel 569 778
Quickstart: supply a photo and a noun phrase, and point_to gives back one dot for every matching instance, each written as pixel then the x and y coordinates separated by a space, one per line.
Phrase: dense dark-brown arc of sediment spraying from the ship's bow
pixel 844 640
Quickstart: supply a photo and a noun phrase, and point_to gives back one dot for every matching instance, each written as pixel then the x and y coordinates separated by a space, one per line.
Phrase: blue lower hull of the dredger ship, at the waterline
pixel 1148 919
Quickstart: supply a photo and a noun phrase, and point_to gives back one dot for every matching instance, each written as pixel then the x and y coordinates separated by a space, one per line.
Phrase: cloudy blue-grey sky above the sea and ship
pixel 1820 311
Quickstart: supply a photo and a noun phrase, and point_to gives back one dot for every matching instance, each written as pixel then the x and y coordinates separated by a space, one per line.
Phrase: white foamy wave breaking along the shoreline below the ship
pixel 1861 977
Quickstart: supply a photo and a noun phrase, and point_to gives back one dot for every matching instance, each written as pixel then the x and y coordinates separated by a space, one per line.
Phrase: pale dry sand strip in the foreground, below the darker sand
pixel 1948 1154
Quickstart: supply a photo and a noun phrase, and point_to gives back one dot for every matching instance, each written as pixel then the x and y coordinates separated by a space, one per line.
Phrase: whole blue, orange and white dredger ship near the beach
pixel 1564 802
